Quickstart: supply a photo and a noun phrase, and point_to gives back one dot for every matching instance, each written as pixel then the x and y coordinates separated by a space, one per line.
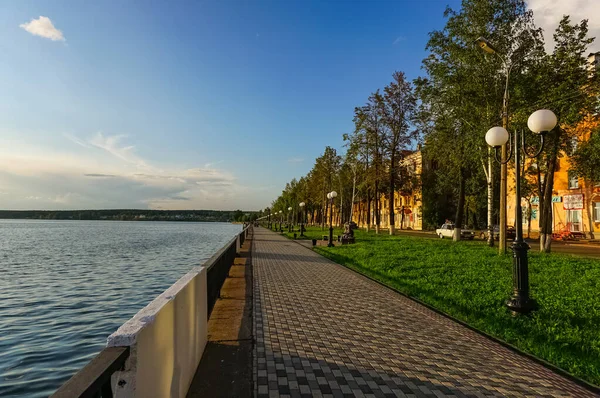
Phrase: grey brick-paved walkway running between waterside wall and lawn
pixel 323 330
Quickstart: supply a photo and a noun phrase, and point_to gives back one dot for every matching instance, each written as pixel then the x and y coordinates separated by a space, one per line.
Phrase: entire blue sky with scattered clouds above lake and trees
pixel 196 104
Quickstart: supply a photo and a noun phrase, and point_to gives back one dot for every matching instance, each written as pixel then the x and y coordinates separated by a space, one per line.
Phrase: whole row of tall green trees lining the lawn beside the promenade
pixel 449 110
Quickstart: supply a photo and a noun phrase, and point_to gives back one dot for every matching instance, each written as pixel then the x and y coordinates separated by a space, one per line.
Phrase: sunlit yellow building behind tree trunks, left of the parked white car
pixel 407 200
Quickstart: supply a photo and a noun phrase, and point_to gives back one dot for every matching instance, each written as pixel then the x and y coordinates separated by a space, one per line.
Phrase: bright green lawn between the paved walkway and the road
pixel 469 281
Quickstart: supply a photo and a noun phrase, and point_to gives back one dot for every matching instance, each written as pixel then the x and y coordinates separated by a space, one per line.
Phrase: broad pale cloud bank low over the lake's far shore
pixel 105 172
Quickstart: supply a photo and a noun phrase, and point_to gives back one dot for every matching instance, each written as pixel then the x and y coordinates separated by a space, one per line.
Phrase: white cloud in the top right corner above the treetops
pixel 548 13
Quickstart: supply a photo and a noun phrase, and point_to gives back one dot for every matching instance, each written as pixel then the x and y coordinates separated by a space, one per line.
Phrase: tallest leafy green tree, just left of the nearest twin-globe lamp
pixel 463 90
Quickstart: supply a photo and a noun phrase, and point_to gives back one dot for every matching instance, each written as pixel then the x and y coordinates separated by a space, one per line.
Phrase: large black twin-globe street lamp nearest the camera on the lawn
pixel 540 122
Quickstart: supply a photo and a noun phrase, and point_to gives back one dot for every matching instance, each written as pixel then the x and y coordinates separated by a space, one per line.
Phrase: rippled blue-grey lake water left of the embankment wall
pixel 66 285
